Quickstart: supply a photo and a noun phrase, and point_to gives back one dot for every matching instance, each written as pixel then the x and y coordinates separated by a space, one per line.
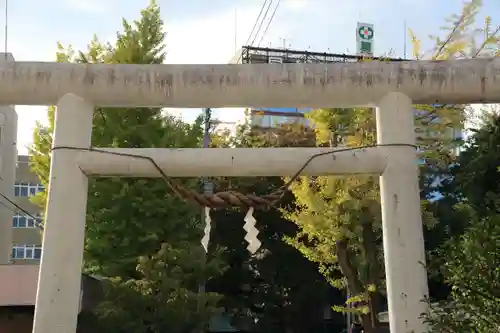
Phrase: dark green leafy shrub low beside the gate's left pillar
pixel 164 298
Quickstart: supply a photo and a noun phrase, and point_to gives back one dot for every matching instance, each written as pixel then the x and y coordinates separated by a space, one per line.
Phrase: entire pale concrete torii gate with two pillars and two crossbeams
pixel 392 87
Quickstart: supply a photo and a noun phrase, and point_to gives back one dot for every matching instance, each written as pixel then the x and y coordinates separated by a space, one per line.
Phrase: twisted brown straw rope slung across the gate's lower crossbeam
pixel 232 198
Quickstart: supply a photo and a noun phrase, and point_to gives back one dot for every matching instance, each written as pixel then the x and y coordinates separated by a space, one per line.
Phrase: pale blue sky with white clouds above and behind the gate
pixel 209 32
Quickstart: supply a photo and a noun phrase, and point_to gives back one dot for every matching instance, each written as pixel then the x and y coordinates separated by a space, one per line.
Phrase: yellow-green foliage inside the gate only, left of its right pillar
pixel 339 217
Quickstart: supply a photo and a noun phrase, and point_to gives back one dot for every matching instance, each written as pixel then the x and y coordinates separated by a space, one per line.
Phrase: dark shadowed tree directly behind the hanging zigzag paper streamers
pixel 277 289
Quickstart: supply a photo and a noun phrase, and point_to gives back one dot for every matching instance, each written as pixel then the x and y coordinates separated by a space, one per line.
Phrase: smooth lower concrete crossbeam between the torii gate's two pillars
pixel 232 162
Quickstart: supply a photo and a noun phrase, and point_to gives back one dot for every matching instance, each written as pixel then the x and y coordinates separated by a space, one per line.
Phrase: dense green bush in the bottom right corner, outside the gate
pixel 470 264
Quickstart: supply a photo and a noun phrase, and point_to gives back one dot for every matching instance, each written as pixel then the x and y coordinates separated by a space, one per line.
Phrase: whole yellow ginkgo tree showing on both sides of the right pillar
pixel 339 217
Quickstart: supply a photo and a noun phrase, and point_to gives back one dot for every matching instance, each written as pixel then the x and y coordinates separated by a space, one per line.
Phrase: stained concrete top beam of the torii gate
pixel 266 85
